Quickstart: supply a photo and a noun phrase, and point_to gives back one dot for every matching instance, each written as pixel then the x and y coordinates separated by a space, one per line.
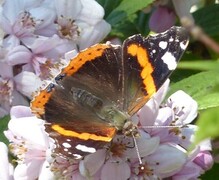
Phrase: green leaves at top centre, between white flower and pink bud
pixel 126 17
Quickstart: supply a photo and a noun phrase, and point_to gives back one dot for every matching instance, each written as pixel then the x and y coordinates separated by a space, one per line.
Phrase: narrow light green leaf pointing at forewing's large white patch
pixel 199 65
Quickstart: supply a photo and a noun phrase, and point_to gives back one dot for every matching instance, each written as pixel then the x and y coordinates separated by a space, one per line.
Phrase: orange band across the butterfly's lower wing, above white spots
pixel 84 136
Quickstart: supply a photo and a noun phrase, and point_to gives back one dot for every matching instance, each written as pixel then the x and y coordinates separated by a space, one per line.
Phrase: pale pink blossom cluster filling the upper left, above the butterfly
pixel 36 34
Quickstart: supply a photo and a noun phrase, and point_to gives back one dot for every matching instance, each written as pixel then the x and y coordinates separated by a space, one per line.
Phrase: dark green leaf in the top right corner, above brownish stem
pixel 207 18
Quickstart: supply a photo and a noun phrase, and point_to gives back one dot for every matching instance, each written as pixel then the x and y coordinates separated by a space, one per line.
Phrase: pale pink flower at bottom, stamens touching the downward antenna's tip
pixel 165 160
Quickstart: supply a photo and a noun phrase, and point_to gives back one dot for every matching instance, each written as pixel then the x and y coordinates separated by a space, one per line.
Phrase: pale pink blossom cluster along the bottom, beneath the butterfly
pixel 165 152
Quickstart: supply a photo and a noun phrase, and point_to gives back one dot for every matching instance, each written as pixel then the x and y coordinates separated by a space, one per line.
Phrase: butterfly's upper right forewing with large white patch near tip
pixel 149 62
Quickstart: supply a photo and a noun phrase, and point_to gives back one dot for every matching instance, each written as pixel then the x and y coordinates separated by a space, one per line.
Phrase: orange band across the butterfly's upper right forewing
pixel 147 69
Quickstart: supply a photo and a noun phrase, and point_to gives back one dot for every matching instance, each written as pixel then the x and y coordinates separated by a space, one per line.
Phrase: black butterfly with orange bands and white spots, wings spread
pixel 96 94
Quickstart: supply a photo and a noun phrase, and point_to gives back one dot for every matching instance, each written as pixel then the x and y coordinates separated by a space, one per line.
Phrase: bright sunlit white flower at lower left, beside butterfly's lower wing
pixel 30 143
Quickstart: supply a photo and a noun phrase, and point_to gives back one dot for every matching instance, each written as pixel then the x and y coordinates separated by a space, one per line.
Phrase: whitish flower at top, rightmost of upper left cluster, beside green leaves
pixel 81 21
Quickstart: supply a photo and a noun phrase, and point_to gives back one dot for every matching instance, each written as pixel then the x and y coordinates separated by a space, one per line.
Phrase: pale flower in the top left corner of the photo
pixel 20 20
